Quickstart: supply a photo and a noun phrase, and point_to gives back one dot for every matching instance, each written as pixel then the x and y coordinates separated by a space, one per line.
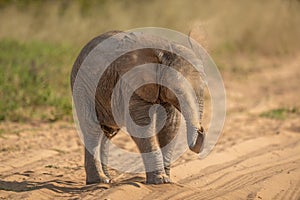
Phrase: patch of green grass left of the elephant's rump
pixel 34 81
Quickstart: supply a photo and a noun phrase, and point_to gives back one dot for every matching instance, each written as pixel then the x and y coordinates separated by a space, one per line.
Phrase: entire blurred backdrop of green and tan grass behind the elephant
pixel 40 39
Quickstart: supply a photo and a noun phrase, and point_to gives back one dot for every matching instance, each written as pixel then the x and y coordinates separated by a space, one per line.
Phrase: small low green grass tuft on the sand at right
pixel 280 113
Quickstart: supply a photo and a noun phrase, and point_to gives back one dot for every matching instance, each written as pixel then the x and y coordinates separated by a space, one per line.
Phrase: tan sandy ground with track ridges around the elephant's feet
pixel 255 158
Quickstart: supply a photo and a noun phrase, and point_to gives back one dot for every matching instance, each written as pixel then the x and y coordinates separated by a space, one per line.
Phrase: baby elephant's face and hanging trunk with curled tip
pixel 187 94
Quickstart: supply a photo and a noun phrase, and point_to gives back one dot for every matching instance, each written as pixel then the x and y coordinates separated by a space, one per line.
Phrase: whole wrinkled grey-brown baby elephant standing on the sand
pixel 169 72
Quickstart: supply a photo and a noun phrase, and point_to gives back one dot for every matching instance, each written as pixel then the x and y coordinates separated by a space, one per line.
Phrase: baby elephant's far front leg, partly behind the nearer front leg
pixel 167 135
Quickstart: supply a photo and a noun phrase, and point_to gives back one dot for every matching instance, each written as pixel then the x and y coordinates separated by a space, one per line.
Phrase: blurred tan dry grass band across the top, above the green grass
pixel 270 27
